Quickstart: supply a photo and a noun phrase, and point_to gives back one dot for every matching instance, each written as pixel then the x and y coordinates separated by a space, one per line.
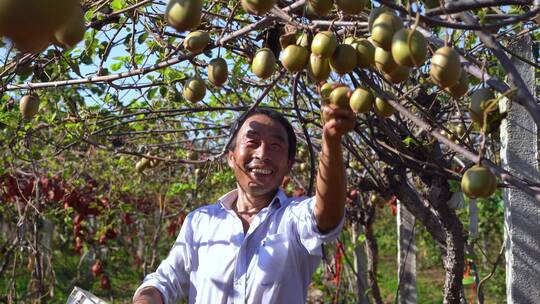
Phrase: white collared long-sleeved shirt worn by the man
pixel 212 261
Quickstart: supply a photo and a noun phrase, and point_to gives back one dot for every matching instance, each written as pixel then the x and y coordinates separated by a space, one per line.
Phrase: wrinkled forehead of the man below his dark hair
pixel 263 126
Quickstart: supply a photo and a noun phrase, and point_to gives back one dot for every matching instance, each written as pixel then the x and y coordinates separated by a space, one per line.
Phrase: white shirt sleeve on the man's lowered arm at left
pixel 172 276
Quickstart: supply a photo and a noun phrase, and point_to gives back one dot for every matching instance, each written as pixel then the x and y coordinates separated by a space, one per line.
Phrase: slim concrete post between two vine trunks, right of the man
pixel 406 256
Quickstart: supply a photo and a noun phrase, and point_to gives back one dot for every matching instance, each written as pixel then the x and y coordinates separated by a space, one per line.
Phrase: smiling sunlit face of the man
pixel 260 157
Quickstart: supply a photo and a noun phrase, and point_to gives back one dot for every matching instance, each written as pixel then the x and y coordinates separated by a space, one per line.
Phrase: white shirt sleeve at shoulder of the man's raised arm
pixel 308 233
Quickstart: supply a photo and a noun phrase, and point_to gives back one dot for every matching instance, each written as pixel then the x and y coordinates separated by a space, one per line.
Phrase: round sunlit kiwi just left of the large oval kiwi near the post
pixel 407 54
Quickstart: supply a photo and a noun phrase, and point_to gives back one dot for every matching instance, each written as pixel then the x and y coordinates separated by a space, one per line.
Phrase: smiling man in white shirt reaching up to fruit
pixel 255 244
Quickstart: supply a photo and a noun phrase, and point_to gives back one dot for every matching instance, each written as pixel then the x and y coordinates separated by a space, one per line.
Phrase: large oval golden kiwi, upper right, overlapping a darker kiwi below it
pixel 445 68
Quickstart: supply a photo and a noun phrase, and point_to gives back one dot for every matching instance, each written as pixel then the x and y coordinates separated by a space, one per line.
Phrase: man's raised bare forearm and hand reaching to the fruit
pixel 331 179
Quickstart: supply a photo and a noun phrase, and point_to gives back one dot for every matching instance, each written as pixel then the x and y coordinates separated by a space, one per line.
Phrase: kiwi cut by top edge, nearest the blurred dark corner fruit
pixel 184 15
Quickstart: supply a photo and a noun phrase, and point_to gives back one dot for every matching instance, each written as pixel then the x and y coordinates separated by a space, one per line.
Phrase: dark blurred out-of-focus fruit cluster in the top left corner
pixel 33 25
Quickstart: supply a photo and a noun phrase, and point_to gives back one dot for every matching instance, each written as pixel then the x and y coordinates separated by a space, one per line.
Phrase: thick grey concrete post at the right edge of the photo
pixel 522 214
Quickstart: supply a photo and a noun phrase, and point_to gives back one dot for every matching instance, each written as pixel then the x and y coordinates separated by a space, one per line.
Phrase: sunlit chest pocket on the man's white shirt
pixel 272 259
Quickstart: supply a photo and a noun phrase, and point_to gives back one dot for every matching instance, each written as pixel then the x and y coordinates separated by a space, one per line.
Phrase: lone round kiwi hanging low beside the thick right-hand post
pixel 478 182
